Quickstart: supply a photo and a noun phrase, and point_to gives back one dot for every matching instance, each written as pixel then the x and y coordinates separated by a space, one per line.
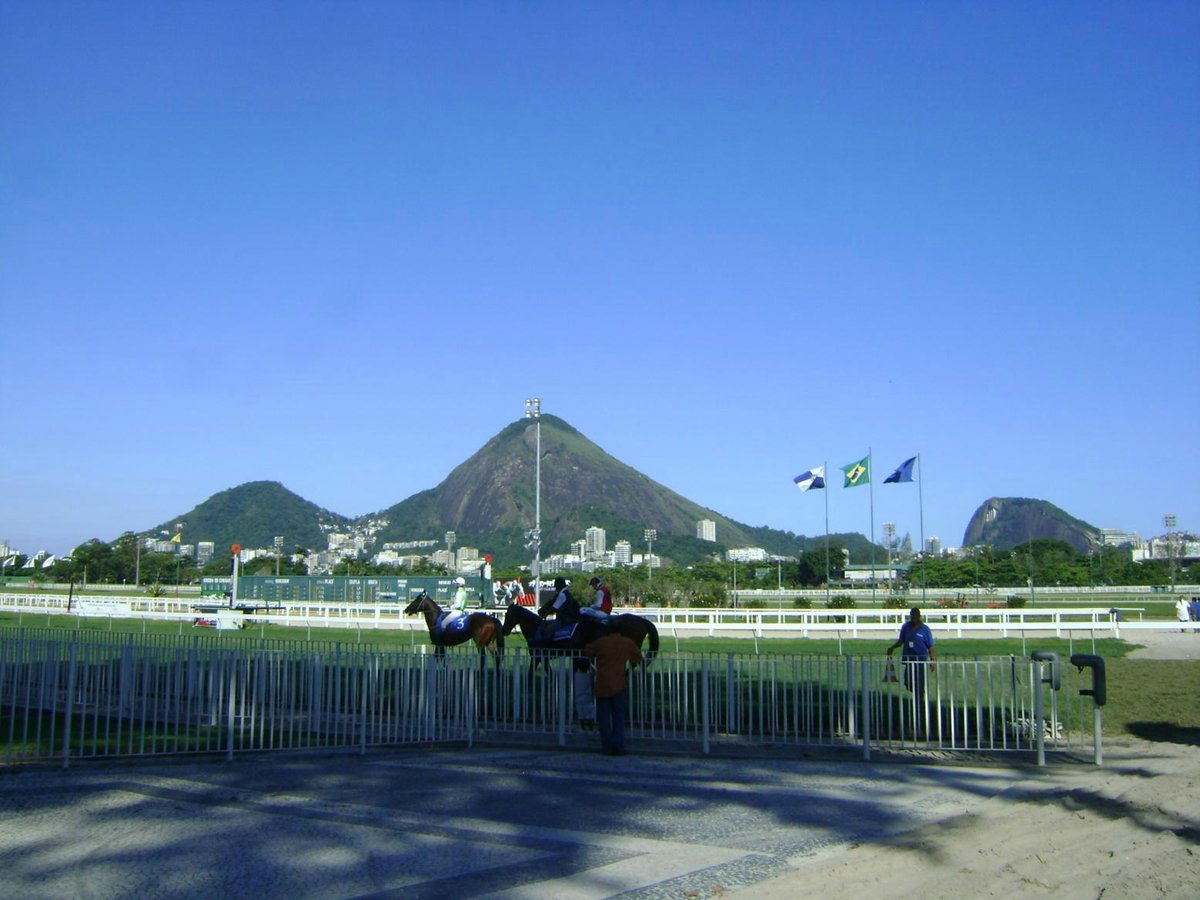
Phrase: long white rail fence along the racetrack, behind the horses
pixel 1096 622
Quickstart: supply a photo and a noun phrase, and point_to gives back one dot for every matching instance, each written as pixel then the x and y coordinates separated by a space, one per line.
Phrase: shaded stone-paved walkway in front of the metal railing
pixel 482 823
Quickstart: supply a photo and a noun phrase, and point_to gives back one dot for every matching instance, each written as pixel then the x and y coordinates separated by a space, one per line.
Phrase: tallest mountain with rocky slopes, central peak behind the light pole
pixel 489 502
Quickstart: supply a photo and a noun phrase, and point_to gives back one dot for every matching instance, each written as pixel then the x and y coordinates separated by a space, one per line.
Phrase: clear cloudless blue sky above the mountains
pixel 338 245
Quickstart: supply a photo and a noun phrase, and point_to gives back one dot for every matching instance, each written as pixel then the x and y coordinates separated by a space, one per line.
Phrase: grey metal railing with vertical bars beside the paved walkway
pixel 71 697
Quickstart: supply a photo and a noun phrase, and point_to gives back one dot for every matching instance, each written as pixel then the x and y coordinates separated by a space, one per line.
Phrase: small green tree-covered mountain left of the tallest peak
pixel 253 515
